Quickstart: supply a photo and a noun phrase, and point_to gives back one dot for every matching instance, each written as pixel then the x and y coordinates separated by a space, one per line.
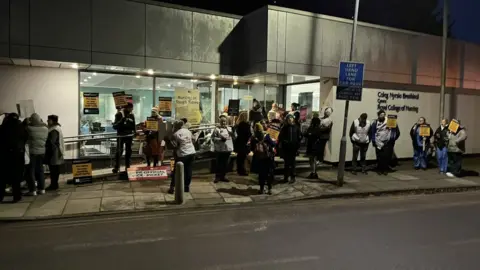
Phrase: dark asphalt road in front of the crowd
pixel 418 232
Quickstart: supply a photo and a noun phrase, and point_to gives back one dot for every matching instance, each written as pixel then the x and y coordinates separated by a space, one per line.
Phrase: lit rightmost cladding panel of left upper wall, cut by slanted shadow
pixel 209 32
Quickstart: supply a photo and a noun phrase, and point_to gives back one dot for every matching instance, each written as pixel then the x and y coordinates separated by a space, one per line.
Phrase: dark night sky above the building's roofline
pixel 465 13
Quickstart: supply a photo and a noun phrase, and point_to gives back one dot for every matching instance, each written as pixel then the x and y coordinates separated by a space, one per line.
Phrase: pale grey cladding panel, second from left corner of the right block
pixel 304 38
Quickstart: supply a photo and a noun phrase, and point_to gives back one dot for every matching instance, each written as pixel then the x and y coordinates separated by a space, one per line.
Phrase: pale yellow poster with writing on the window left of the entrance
pixel 187 105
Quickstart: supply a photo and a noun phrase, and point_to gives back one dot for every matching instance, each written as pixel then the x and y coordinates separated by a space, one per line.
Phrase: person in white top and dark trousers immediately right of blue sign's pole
pixel 360 138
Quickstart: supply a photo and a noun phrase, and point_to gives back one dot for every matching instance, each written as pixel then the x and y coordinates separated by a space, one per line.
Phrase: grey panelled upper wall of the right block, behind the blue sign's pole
pixel 311 44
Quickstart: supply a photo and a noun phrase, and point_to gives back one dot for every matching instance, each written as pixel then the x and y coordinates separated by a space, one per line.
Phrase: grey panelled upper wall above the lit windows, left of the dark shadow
pixel 114 32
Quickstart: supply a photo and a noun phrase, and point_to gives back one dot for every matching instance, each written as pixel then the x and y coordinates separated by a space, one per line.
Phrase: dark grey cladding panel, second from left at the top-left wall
pixel 60 24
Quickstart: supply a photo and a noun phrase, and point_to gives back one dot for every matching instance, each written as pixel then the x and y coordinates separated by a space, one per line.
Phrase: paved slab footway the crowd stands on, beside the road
pixel 107 197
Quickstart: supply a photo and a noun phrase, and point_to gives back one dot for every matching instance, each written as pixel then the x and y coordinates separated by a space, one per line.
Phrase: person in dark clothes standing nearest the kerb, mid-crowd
pixel 262 147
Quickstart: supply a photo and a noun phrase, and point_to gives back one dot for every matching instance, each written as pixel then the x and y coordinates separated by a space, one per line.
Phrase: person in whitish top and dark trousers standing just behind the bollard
pixel 182 141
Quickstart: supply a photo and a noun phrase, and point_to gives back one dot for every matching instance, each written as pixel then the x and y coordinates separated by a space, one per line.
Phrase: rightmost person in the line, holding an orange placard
pixel 456 149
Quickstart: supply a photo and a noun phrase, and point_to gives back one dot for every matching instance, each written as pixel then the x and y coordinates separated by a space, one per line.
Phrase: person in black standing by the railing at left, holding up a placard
pixel 125 126
